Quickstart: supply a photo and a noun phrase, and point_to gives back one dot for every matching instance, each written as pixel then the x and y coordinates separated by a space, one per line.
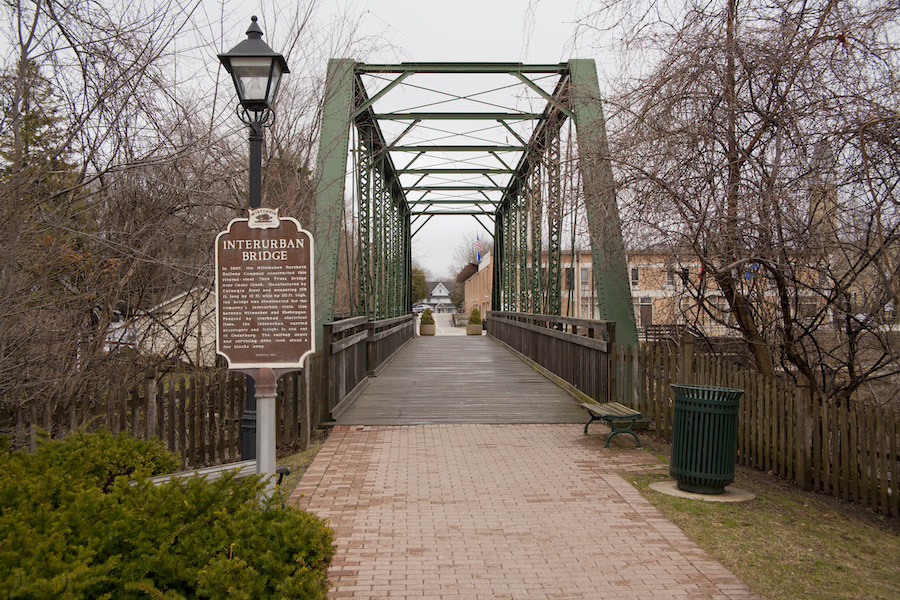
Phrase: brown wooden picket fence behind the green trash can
pixel 850 452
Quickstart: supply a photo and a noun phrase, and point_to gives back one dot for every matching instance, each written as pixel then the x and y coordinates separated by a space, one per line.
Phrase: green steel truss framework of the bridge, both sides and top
pixel 520 148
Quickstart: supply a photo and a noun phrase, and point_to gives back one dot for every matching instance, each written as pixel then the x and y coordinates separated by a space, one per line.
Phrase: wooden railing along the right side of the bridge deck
pixel 575 350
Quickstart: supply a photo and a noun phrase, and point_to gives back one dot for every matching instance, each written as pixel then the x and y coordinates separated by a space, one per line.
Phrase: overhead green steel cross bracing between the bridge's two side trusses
pixel 456 134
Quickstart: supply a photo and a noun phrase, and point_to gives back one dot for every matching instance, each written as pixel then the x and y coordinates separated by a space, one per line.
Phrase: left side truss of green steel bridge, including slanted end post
pixel 383 263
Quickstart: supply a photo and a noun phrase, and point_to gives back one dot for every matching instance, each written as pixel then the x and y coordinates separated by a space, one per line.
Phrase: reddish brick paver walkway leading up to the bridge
pixel 498 511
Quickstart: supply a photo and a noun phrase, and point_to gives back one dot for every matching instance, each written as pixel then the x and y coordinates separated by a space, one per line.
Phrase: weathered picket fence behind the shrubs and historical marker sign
pixel 196 415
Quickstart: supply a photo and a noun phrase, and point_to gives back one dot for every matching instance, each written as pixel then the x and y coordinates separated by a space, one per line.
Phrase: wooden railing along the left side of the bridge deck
pixel 355 349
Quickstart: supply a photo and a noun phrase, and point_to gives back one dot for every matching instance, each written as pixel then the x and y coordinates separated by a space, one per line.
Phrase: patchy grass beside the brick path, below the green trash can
pixel 788 543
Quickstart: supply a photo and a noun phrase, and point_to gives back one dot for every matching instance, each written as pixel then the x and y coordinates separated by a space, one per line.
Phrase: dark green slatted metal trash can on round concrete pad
pixel 704 437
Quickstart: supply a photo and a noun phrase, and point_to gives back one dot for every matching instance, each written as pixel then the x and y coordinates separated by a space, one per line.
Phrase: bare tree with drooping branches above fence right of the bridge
pixel 760 141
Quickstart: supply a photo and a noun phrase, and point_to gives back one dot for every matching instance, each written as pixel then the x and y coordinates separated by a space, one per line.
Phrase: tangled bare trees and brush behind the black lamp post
pixel 116 178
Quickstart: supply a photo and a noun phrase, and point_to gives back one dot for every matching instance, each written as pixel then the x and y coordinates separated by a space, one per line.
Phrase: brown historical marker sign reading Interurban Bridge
pixel 264 292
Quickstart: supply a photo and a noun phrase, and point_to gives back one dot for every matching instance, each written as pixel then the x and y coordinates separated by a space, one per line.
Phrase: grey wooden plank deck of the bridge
pixel 460 379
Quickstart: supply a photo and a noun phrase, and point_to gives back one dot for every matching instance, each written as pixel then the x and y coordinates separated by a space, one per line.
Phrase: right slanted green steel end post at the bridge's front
pixel 607 247
